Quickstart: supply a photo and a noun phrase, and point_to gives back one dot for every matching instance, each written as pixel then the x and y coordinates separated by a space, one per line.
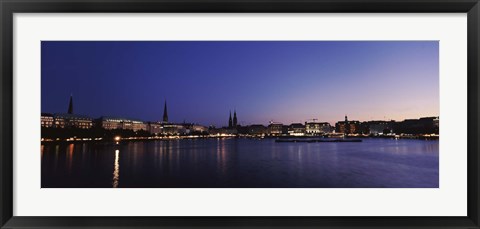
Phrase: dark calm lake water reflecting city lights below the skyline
pixel 241 163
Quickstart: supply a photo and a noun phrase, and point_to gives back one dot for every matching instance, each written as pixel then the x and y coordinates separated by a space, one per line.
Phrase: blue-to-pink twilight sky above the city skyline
pixel 283 81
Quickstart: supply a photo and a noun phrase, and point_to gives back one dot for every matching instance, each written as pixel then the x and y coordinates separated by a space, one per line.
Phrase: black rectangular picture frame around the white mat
pixel 9 7
